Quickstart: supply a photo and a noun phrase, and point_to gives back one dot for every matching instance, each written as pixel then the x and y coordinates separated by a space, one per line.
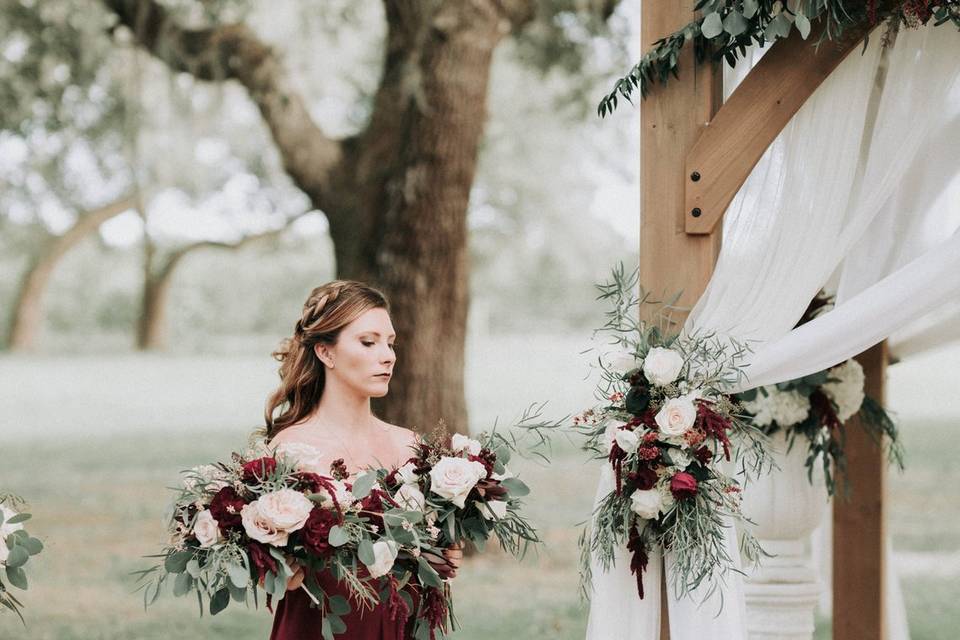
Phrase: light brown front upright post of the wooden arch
pixel 671 120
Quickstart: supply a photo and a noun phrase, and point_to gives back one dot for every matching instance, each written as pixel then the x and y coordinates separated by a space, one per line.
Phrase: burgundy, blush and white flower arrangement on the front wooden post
pixel 666 429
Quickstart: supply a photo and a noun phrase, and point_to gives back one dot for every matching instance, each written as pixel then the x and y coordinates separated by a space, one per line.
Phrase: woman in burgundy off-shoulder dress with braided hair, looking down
pixel 341 355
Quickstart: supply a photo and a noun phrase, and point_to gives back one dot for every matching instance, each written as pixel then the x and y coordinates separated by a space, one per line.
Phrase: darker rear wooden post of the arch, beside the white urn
pixel 859 523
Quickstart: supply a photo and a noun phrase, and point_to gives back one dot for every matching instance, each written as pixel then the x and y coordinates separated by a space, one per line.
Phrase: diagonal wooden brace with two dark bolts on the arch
pixel 749 121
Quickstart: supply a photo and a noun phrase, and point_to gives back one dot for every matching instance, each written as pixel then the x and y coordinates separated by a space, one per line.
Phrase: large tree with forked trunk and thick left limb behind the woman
pixel 395 193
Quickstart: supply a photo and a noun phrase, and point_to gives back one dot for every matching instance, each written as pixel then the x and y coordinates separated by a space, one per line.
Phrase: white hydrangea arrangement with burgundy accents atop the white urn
pixel 816 409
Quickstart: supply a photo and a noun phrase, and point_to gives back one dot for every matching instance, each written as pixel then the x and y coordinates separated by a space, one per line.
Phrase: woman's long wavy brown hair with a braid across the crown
pixel 328 309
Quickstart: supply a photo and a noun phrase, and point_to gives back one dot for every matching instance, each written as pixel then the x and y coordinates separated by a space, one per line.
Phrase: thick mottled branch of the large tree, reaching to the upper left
pixel 234 52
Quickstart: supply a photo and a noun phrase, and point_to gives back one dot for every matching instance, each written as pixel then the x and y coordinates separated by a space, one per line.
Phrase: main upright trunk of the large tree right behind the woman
pixel 416 169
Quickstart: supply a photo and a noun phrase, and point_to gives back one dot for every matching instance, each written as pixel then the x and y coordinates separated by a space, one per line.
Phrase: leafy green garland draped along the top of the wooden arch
pixel 725 28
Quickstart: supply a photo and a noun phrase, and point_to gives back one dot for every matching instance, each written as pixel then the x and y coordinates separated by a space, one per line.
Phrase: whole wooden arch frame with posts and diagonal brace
pixel 695 156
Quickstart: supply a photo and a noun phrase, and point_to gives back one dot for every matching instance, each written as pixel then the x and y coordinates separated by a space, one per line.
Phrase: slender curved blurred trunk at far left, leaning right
pixel 27 312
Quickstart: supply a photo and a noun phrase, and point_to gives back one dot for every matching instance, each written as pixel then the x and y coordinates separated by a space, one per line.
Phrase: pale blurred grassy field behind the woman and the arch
pixel 97 495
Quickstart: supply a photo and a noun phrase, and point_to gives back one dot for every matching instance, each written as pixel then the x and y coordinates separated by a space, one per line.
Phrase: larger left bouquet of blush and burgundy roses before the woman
pixel 238 525
